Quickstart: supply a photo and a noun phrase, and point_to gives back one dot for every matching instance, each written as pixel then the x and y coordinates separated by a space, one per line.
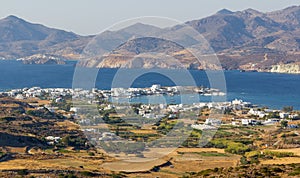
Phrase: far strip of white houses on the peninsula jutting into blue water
pixel 114 92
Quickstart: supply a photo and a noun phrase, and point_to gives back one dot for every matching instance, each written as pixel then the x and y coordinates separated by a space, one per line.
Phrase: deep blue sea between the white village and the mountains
pixel 264 89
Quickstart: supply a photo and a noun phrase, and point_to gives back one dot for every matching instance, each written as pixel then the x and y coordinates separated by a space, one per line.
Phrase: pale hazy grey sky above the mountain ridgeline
pixel 92 16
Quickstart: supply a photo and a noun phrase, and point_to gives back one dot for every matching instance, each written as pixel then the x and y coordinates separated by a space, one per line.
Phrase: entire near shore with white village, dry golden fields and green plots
pixel 206 136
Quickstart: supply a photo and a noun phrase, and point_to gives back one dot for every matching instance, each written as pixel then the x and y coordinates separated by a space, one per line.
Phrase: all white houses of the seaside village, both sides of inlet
pixel 161 110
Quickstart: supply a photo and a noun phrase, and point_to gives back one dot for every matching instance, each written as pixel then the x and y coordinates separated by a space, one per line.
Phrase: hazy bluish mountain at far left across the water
pixel 20 39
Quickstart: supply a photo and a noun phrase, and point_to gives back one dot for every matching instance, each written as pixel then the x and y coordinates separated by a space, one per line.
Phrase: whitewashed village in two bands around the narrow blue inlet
pixel 246 113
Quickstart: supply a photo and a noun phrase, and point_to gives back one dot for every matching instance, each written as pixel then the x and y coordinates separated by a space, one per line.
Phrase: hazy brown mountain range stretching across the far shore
pixel 249 40
